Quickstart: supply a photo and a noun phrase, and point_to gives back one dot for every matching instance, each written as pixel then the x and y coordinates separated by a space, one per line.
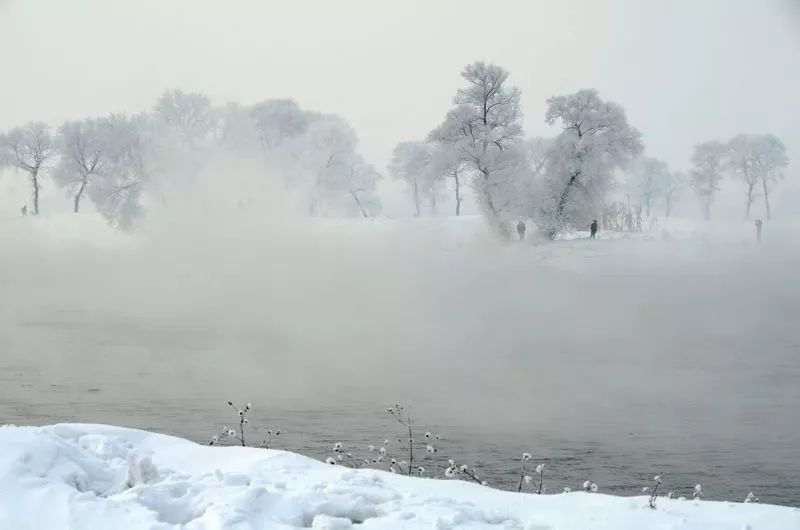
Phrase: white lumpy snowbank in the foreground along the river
pixel 91 477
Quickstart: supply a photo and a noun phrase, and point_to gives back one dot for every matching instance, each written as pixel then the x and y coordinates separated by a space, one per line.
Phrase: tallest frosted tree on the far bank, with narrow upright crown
pixel 481 128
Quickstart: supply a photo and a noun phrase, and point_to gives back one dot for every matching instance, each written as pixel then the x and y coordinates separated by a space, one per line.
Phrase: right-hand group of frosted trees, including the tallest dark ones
pixel 564 181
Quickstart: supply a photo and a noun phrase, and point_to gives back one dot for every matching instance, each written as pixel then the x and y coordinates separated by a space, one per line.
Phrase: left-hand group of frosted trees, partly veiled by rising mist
pixel 117 161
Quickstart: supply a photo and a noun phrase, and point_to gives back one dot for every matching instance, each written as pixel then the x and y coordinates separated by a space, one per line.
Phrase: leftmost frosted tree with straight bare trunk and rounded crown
pixel 29 148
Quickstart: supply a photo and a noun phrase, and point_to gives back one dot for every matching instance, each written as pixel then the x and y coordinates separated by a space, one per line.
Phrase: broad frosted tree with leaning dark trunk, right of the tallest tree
pixel 595 140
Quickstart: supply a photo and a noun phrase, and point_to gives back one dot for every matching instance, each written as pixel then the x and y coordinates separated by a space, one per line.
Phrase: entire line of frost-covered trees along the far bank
pixel 121 163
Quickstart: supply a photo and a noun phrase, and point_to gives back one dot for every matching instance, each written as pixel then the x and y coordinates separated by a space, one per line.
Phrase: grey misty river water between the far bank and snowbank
pixel 610 360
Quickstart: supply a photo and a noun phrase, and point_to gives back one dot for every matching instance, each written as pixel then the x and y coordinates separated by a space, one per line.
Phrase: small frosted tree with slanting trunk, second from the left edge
pixel 82 155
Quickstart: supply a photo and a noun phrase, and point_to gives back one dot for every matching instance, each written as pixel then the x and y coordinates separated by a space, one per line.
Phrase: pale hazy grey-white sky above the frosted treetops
pixel 686 70
